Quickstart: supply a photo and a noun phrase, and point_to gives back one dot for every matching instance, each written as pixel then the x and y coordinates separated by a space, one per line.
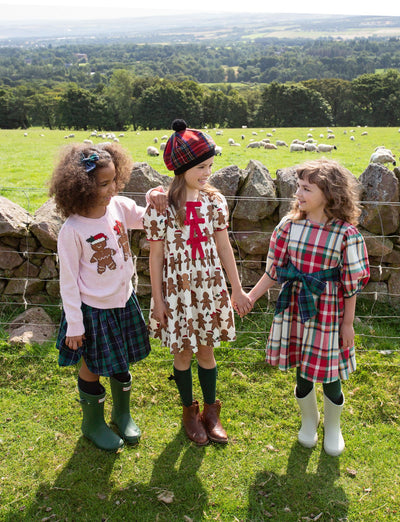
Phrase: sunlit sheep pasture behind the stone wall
pixel 26 162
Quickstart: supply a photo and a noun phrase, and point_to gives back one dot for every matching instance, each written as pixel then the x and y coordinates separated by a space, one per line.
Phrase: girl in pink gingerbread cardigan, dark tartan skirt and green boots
pixel 102 325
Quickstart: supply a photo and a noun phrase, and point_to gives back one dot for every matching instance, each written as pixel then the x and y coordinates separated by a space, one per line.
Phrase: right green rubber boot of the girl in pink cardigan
pixel 120 415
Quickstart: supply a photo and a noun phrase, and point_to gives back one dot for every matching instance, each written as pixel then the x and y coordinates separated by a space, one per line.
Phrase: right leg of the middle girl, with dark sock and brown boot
pixel 207 371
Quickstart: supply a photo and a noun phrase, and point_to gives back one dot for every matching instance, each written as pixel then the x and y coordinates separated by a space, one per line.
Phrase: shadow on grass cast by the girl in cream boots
pixel 299 494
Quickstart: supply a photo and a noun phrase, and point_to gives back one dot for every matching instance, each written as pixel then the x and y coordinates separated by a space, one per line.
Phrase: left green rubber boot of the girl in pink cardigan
pixel 94 426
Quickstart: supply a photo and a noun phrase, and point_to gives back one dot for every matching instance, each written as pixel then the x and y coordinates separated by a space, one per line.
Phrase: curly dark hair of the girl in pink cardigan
pixel 74 189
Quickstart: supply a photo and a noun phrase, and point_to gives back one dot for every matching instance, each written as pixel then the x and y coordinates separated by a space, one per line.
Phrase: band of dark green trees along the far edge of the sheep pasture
pixel 128 101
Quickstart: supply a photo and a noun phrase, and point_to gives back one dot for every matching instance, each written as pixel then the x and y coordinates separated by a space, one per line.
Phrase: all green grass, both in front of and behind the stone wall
pixel 49 472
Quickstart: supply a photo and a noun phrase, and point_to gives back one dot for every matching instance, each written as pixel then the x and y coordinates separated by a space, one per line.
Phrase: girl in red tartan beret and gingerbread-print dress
pixel 191 310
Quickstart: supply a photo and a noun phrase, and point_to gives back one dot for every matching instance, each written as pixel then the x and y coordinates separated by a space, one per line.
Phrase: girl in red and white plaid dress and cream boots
pixel 320 258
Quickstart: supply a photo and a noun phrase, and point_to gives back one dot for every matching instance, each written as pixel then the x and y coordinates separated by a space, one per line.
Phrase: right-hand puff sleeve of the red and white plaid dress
pixel 355 266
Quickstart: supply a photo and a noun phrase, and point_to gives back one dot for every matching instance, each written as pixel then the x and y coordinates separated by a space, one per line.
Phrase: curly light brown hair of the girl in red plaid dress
pixel 339 186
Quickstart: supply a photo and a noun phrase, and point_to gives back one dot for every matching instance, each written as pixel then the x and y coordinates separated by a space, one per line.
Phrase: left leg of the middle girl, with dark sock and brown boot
pixel 191 418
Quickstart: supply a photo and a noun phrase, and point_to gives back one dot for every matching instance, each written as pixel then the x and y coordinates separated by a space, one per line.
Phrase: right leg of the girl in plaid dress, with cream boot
pixel 333 406
